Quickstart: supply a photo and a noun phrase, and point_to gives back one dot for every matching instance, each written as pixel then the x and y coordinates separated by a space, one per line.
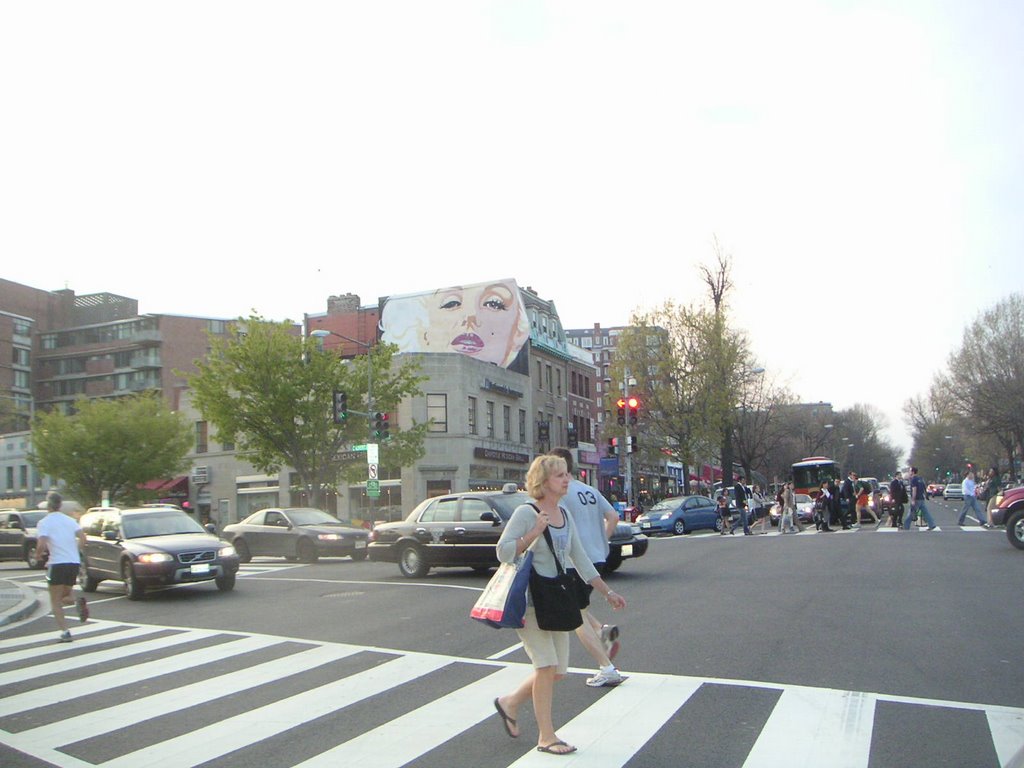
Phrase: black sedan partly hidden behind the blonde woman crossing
pixel 462 530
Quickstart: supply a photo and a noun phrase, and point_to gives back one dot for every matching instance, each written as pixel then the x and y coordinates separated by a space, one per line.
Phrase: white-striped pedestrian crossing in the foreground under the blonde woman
pixel 127 695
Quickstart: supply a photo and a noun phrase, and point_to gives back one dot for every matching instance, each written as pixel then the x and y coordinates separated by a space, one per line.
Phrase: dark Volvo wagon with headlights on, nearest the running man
pixel 148 548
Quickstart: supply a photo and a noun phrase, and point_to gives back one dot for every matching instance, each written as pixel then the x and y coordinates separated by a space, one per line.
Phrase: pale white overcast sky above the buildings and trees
pixel 862 162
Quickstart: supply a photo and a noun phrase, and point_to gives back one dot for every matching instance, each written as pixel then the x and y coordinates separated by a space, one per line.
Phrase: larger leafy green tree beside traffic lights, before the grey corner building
pixel 270 392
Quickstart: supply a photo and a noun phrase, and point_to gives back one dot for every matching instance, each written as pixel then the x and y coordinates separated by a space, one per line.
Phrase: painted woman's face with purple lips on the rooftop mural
pixel 480 321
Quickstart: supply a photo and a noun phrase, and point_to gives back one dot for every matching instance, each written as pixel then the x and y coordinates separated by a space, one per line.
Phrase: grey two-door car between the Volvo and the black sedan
pixel 303 534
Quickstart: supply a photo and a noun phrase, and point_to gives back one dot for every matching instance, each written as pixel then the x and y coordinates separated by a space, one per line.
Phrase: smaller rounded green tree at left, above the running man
pixel 112 446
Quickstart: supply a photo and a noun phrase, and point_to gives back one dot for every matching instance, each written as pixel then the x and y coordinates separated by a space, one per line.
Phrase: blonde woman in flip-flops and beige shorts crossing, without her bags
pixel 547 482
